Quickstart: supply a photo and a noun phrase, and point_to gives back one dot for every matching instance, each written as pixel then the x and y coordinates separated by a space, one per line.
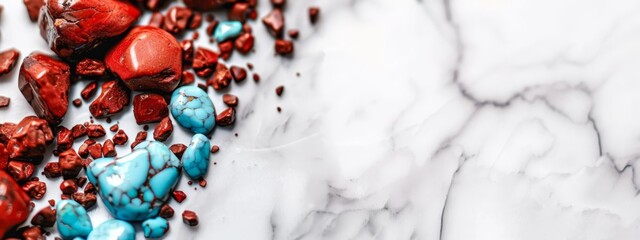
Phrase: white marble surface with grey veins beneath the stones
pixel 452 119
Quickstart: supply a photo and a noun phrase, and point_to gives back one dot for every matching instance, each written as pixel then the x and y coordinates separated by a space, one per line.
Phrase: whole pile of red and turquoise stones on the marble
pixel 96 40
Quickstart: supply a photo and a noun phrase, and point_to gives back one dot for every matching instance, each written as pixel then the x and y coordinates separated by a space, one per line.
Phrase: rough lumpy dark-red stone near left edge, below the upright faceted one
pixel 30 140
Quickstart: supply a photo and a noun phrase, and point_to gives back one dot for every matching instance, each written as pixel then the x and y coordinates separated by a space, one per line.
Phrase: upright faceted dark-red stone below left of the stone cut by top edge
pixel 44 82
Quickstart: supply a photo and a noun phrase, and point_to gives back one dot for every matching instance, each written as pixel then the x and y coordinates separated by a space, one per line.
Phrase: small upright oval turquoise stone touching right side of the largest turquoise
pixel 195 160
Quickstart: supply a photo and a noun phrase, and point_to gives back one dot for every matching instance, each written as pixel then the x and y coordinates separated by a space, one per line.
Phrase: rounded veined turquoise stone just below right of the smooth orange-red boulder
pixel 193 109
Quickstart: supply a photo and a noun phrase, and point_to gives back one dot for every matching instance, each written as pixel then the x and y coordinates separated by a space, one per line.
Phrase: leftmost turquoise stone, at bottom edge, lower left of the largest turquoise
pixel 72 220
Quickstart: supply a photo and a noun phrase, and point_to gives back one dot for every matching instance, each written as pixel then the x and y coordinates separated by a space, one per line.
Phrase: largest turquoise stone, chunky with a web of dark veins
pixel 134 187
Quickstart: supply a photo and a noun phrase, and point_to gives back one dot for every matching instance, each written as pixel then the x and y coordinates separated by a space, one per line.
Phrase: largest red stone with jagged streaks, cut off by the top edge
pixel 72 28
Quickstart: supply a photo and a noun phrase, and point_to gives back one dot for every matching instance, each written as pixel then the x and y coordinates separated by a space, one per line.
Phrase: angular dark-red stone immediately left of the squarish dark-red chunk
pixel 113 98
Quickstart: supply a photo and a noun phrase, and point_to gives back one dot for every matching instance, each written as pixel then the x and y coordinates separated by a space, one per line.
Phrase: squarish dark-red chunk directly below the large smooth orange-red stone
pixel 149 108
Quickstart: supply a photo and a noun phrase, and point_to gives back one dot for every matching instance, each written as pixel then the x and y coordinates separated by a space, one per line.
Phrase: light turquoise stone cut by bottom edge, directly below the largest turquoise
pixel 113 230
